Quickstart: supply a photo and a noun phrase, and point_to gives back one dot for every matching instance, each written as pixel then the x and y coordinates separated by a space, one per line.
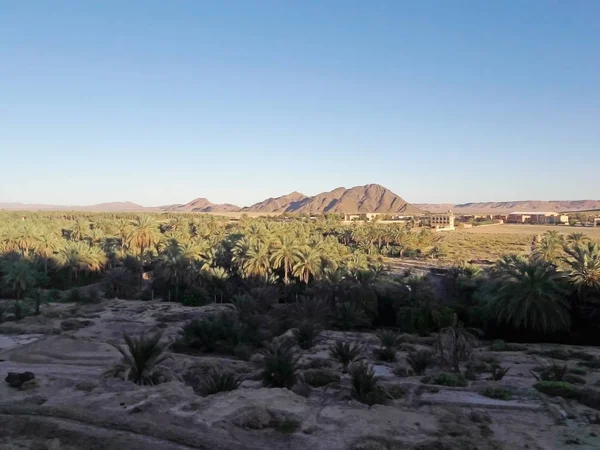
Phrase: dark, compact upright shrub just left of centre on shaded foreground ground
pixel 280 365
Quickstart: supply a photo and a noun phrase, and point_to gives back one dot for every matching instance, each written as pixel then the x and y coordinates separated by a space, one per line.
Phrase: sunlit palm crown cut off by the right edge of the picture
pixel 583 271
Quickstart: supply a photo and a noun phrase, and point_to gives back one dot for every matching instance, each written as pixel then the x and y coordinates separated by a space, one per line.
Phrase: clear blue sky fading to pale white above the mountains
pixel 163 101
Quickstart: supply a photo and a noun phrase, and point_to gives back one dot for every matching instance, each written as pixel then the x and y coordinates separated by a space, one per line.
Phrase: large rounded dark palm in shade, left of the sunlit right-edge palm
pixel 530 296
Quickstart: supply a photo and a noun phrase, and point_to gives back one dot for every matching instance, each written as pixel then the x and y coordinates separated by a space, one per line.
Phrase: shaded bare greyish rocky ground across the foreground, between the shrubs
pixel 71 404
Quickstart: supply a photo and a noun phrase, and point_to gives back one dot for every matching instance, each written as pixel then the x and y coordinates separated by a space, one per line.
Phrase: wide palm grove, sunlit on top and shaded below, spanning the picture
pixel 280 270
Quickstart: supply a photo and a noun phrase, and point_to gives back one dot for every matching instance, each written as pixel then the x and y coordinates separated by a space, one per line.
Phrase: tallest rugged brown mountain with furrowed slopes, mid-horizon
pixel 359 199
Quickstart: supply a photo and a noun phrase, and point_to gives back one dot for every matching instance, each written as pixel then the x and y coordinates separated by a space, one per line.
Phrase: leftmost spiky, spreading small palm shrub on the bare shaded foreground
pixel 140 357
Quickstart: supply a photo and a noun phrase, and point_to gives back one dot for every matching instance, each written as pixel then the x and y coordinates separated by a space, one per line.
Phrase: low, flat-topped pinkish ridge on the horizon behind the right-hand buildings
pixel 507 207
